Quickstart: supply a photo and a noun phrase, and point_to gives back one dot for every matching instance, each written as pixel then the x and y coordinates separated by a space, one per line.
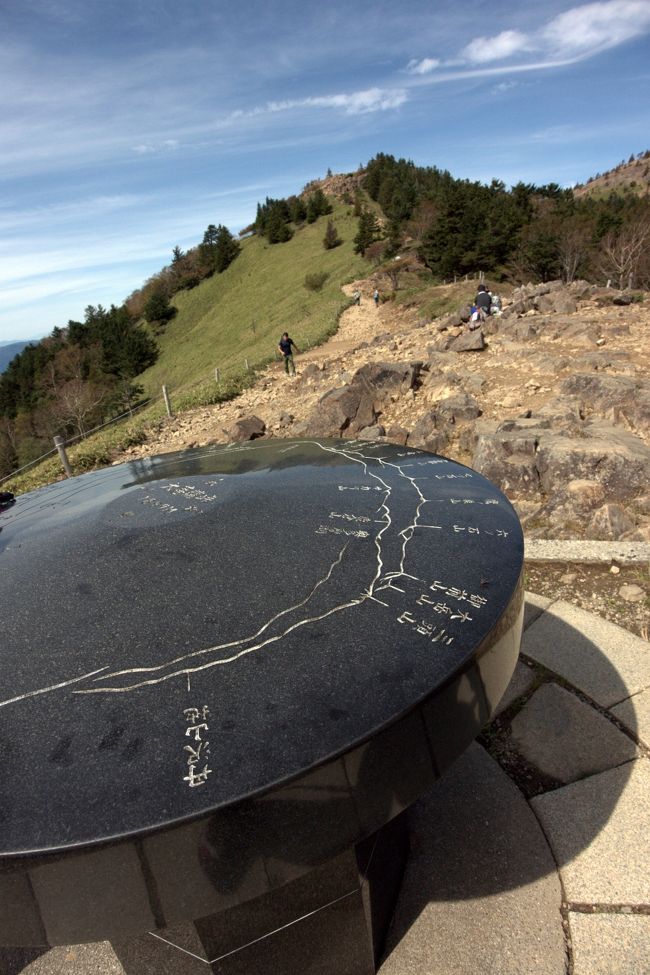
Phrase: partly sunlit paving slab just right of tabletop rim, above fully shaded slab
pixel 604 661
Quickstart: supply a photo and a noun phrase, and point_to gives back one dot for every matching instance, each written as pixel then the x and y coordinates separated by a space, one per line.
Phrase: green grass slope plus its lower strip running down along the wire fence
pixel 228 318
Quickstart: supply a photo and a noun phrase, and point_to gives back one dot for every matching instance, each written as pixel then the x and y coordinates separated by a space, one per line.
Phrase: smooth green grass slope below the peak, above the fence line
pixel 241 313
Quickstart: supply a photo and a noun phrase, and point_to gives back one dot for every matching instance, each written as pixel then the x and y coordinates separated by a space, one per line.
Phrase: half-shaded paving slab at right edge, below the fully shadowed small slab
pixel 599 830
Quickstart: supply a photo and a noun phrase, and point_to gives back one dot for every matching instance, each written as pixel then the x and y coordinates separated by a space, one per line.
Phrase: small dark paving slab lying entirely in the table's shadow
pixel 567 739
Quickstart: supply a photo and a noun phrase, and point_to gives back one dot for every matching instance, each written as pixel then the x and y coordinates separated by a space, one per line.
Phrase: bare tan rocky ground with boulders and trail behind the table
pixel 552 403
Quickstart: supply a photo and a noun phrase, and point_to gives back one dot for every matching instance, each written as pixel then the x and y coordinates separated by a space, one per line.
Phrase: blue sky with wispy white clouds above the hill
pixel 127 126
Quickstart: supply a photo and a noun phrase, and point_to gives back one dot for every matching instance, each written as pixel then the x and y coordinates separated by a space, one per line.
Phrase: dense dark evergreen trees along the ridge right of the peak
pixel 526 232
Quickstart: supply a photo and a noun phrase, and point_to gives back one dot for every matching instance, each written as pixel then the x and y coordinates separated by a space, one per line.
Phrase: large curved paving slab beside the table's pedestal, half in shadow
pixel 481 892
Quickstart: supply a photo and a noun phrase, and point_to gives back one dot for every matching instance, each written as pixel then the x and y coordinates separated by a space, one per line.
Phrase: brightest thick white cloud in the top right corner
pixel 597 26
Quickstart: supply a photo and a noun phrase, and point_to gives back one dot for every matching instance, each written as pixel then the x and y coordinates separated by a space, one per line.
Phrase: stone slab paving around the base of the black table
pixel 530 856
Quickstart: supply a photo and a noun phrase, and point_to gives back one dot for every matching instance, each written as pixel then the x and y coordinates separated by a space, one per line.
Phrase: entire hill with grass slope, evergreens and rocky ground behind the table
pixel 551 403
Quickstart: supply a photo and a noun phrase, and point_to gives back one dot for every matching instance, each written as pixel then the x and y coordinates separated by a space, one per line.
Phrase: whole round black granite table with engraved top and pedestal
pixel 225 674
